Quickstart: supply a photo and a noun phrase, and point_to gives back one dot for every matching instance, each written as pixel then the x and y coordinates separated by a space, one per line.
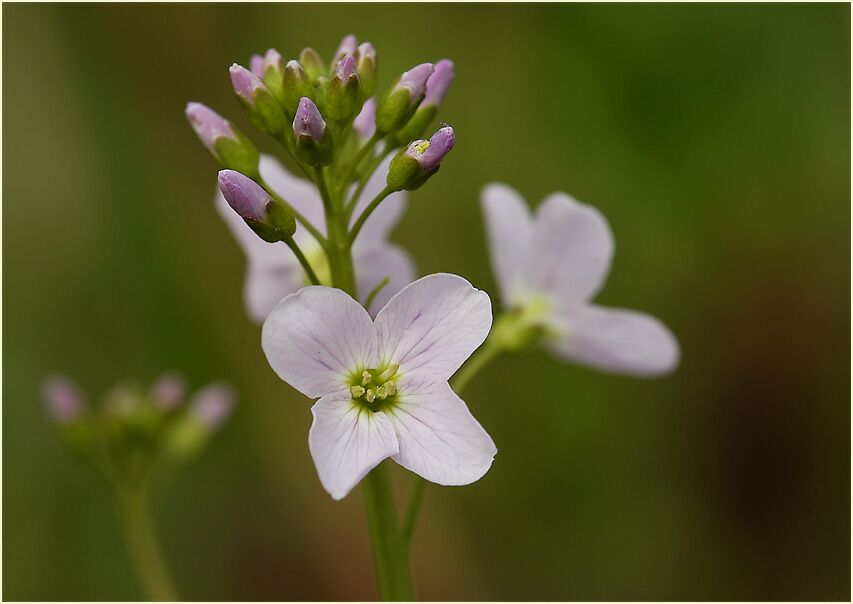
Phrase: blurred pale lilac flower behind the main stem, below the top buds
pixel 274 273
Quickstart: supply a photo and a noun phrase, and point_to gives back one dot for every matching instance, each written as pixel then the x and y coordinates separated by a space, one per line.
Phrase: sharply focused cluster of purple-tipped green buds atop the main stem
pixel 322 113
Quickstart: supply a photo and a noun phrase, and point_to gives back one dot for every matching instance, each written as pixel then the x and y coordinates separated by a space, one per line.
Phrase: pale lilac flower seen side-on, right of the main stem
pixel 550 265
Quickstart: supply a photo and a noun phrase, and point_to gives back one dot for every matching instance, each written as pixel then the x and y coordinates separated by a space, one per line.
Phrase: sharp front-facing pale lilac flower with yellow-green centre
pixel 383 384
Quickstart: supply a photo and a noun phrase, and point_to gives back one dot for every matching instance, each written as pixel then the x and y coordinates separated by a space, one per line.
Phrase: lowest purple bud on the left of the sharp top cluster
pixel 270 220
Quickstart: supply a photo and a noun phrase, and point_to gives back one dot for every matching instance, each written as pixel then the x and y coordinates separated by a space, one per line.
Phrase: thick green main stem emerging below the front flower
pixel 390 554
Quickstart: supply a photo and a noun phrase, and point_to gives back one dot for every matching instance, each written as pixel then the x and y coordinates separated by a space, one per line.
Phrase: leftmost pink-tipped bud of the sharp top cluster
pixel 228 145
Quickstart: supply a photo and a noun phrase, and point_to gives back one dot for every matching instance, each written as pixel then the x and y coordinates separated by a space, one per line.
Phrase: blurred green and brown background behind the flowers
pixel 715 138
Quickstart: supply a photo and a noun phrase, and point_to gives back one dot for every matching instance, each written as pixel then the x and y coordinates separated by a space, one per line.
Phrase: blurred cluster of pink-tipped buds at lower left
pixel 131 431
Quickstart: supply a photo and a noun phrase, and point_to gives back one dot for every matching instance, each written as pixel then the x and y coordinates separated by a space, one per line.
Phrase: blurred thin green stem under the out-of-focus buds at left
pixel 144 548
